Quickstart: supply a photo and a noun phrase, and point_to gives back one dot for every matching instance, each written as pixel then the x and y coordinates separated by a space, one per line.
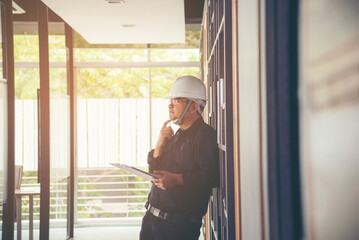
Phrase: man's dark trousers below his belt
pixel 155 228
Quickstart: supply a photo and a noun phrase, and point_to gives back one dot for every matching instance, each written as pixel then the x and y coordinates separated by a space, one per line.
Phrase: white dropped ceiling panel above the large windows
pixel 134 21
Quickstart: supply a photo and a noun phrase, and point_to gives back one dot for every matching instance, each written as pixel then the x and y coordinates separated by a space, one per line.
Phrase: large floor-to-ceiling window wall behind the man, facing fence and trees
pixel 120 106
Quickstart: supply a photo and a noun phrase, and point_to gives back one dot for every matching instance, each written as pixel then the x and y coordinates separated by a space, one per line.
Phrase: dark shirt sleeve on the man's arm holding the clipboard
pixel 207 157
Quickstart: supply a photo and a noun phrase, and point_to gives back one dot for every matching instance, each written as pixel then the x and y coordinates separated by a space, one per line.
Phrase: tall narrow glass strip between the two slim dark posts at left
pixel 59 139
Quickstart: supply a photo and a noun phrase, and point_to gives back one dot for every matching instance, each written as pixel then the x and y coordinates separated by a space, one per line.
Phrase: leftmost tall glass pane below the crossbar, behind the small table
pixel 26 133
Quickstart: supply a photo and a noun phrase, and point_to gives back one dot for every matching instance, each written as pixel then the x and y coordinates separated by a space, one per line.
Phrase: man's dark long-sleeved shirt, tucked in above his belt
pixel 194 154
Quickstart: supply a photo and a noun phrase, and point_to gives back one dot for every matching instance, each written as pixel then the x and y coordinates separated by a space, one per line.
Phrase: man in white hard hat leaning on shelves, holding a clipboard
pixel 188 164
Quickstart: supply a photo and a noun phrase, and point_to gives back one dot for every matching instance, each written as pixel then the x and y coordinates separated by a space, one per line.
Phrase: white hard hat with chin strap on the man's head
pixel 188 87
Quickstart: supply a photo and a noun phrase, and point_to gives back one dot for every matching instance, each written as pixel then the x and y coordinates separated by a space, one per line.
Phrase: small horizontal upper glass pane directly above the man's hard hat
pixel 175 55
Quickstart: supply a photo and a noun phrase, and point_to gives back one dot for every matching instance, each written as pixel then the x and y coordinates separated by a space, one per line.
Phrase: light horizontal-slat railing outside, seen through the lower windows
pixel 101 193
